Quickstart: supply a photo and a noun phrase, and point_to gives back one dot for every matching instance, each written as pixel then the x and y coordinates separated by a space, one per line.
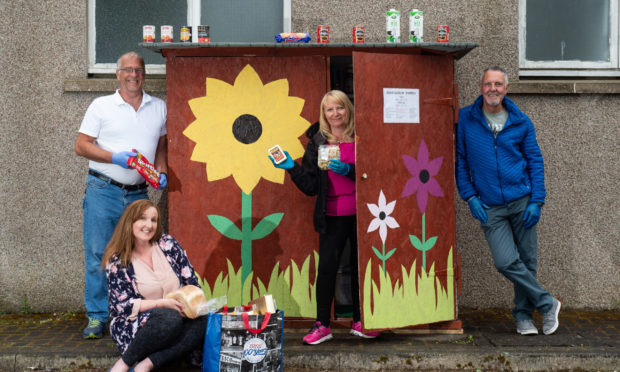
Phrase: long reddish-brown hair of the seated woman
pixel 121 243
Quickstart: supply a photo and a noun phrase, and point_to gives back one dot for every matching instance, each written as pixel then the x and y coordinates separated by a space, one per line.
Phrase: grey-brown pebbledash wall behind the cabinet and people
pixel 44 92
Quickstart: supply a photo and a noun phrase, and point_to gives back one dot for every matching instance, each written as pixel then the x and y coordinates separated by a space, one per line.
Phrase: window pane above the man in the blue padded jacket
pixel 562 30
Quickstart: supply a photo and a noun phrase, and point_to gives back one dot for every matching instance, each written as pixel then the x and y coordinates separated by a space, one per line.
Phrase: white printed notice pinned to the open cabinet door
pixel 401 105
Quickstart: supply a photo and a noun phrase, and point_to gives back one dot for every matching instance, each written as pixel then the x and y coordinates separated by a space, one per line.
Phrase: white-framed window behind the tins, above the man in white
pixel 115 26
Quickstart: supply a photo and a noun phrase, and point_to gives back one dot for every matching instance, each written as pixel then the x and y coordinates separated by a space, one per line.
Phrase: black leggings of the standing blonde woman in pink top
pixel 331 246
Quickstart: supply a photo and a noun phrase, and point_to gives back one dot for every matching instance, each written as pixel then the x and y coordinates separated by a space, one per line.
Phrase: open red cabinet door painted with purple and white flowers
pixel 405 191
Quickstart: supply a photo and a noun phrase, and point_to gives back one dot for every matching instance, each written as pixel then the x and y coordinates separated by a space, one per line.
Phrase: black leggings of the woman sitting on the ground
pixel 165 336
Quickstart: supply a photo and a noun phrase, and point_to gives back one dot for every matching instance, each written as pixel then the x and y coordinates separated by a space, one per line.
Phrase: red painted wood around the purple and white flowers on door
pixel 380 148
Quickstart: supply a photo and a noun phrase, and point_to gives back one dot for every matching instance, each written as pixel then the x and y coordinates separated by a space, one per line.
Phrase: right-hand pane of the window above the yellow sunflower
pixel 242 20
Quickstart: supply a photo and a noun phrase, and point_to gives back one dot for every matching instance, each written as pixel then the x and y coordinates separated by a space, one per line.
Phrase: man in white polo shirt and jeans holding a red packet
pixel 112 127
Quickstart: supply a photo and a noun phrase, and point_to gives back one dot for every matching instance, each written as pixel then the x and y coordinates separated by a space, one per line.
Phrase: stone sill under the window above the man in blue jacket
pixel 565 87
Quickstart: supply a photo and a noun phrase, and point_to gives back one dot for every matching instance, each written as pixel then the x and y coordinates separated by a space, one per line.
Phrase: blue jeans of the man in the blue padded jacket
pixel 514 251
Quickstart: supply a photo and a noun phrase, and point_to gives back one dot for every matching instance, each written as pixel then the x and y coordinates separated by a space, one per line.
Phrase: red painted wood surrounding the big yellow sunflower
pixel 192 198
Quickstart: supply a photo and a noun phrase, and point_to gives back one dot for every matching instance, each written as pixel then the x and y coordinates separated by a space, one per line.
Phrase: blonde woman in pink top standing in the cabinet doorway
pixel 334 211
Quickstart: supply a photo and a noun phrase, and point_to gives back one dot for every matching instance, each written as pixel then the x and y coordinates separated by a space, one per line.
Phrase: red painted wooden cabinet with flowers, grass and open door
pixel 246 227
